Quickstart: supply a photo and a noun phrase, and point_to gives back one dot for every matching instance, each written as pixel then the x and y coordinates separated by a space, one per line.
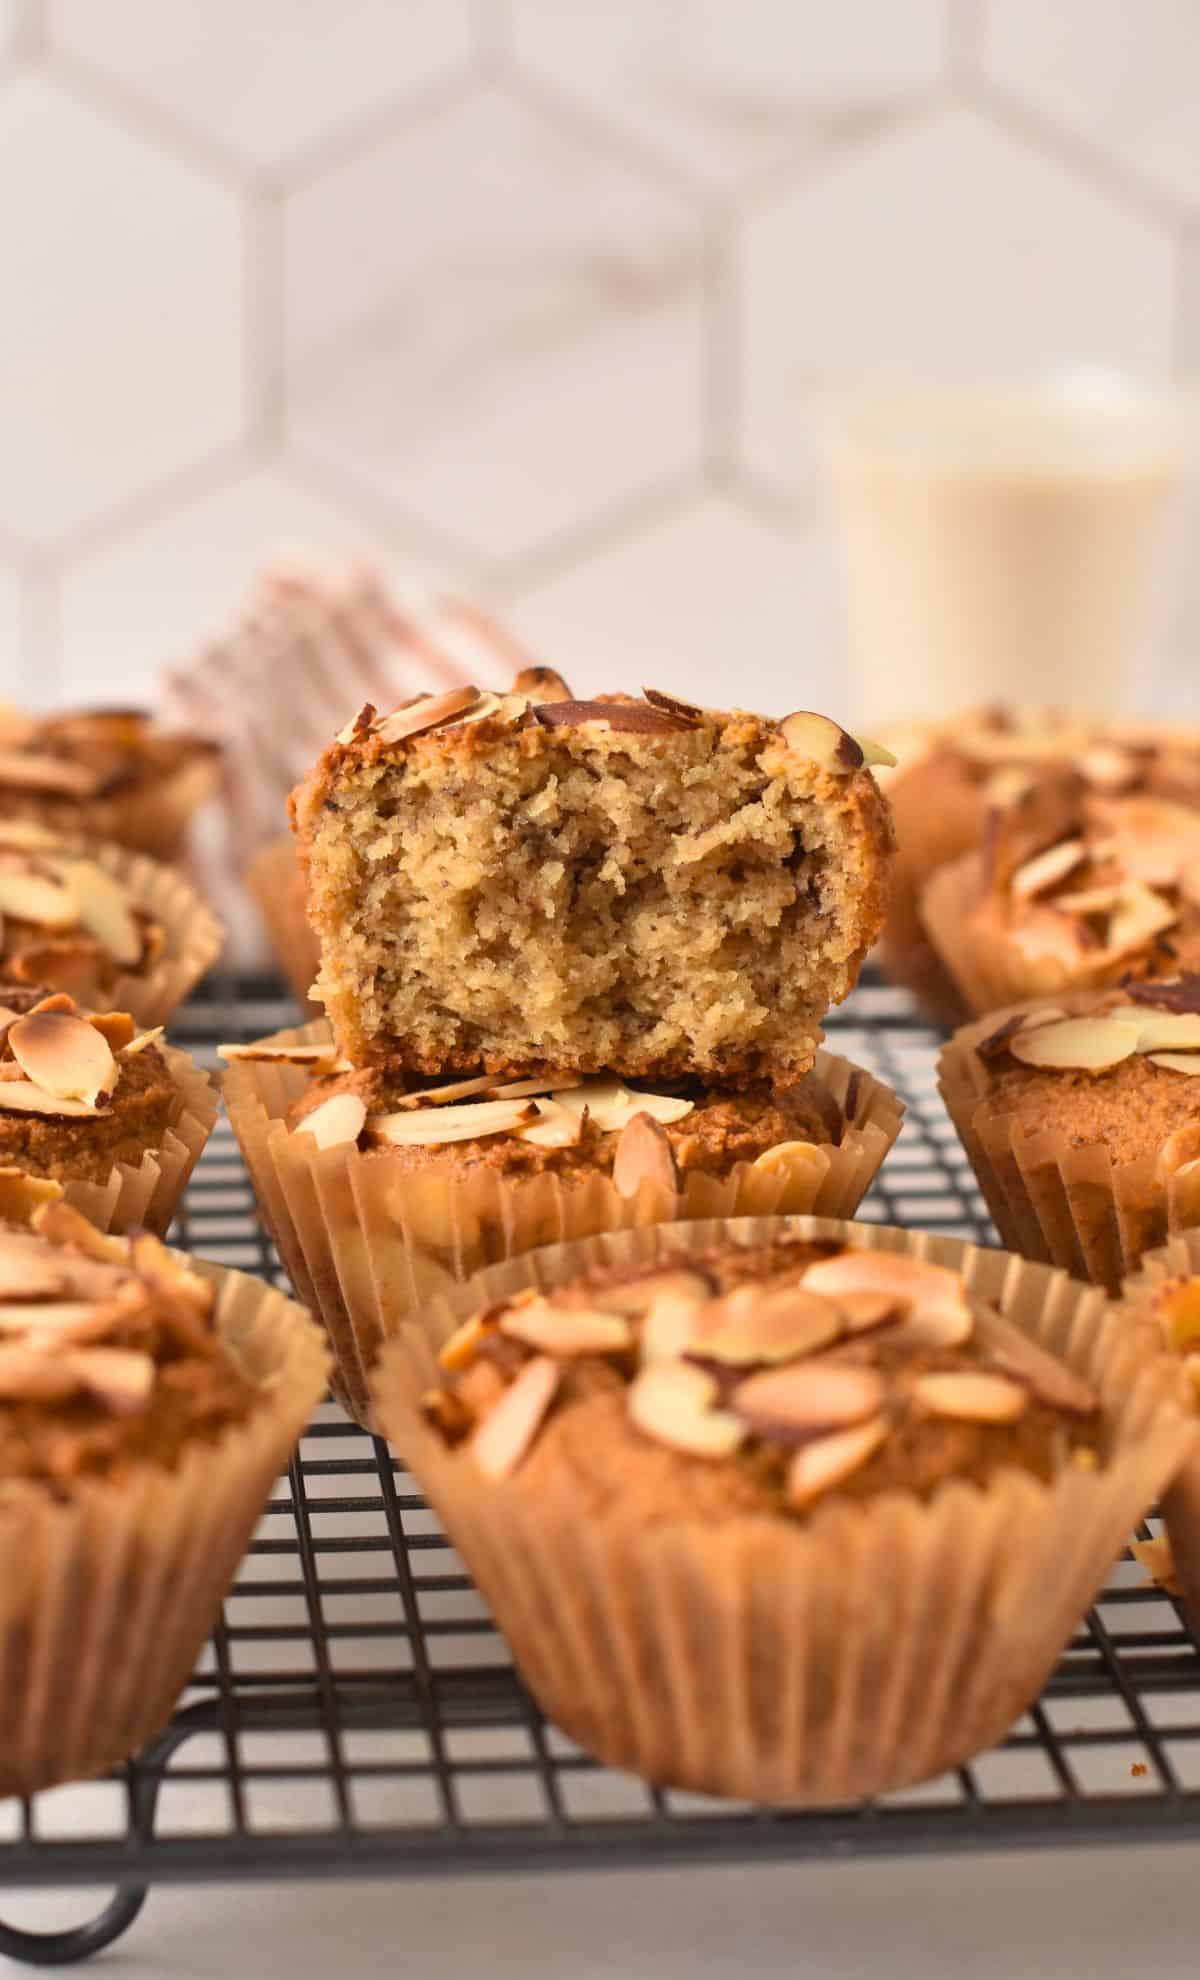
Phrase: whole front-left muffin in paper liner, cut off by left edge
pixel 146 1413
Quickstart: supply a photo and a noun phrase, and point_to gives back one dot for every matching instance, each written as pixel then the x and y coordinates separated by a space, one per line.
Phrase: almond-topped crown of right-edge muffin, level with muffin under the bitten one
pixel 1102 1066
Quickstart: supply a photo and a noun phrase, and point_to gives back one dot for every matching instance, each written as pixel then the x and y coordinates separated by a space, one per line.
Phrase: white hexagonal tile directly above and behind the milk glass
pixel 948 250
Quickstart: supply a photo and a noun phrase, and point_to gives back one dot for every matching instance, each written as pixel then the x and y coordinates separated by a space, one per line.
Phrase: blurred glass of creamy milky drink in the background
pixel 999 545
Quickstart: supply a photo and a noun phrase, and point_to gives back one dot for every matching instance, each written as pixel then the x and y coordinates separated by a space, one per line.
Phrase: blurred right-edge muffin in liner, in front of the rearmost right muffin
pixel 1070 892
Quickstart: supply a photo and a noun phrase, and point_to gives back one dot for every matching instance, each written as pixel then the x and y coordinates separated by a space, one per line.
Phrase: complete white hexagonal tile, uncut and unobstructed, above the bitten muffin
pixel 494 326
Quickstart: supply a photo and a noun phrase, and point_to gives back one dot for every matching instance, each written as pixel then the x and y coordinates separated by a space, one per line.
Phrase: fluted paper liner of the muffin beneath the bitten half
pixel 367 1242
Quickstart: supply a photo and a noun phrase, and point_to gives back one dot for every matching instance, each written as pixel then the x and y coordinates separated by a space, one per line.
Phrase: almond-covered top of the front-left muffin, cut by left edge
pixel 110 1355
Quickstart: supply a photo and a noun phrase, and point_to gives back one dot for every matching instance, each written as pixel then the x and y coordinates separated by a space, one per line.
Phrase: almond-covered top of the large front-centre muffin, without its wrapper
pixel 757 1381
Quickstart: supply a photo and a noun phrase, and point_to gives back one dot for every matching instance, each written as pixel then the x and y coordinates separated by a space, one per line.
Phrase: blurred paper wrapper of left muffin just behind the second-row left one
pixel 193 934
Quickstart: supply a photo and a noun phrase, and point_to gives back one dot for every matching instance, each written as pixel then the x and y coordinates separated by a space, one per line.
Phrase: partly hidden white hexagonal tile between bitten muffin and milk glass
pixel 708 603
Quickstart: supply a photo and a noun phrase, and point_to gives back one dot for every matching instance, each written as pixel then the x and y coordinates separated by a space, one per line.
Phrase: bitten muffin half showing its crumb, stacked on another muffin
pixel 619 886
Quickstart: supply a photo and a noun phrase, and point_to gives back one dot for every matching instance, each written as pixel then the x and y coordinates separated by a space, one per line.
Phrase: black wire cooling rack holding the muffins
pixel 359 1714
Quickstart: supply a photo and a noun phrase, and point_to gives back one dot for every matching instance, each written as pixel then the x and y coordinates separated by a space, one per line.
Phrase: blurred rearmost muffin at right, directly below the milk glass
pixel 953 777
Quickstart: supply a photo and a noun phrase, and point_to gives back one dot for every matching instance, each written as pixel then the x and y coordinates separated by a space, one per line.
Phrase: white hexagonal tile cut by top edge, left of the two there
pixel 272 78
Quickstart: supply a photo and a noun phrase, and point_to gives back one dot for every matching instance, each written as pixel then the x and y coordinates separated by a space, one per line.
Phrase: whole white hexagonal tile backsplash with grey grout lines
pixel 544 298
